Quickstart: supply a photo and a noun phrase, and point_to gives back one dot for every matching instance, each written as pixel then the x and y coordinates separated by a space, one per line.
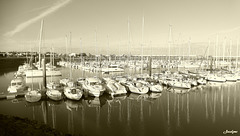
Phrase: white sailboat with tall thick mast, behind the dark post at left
pixel 39 72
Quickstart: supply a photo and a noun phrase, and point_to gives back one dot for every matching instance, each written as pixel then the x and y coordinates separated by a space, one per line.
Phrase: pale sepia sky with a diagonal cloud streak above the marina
pixel 120 26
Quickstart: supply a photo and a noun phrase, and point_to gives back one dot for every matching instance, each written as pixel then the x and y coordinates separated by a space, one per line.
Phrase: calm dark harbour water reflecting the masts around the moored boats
pixel 207 110
